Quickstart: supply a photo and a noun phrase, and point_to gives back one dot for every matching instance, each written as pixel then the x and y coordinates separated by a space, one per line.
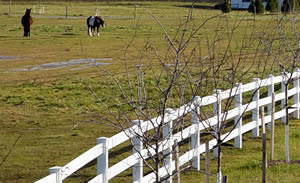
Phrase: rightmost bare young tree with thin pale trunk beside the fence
pixel 284 49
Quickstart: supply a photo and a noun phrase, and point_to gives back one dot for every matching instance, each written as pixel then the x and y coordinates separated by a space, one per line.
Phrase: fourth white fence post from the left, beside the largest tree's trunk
pixel 167 135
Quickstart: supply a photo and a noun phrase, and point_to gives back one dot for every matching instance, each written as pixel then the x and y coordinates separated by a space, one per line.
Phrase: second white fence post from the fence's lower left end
pixel 102 160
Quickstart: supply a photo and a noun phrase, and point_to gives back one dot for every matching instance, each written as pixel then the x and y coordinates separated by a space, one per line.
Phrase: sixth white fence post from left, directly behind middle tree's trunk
pixel 217 111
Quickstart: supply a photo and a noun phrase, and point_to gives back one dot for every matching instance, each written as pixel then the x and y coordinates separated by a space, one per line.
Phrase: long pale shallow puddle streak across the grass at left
pixel 76 64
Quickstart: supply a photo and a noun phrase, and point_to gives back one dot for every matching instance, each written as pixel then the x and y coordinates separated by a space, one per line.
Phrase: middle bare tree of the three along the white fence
pixel 231 67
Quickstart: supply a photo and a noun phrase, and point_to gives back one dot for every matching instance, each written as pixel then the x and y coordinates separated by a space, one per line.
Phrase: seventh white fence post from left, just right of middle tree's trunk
pixel 238 102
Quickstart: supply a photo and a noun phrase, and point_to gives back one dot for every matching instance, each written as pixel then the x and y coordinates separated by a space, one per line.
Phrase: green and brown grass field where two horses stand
pixel 48 115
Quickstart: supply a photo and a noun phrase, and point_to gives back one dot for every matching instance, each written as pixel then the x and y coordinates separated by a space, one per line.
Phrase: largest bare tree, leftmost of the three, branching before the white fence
pixel 150 88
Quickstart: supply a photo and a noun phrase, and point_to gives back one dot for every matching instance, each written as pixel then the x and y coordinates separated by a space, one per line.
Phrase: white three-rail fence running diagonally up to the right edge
pixel 101 150
